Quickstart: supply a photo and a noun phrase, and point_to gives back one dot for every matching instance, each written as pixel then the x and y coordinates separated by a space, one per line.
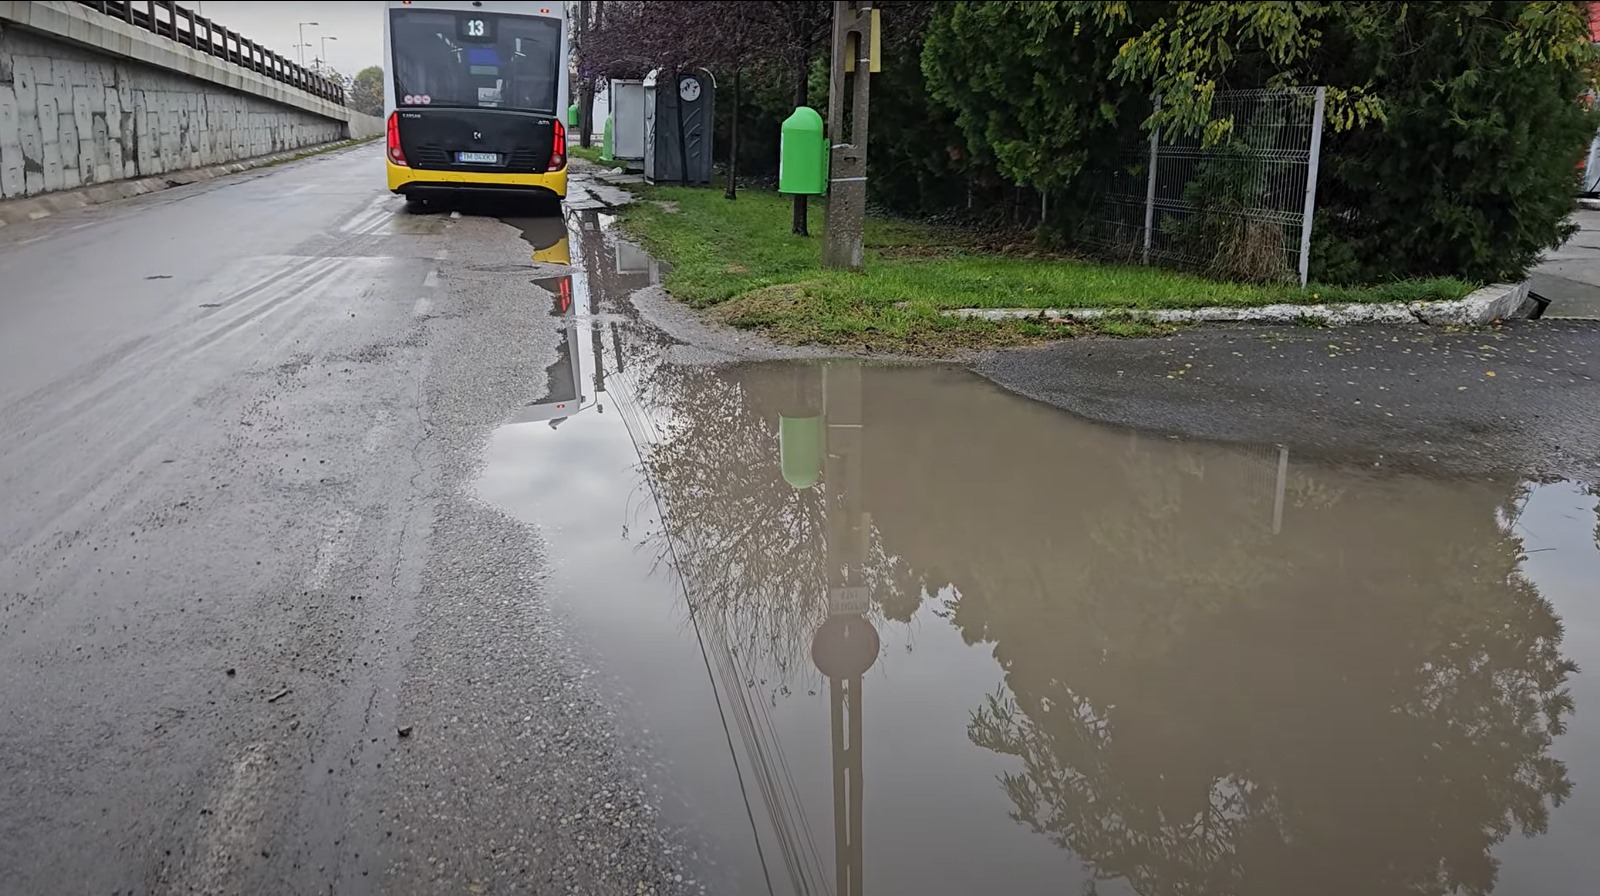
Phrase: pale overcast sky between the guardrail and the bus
pixel 356 25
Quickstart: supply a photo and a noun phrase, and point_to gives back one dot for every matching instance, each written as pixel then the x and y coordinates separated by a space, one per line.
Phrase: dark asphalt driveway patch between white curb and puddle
pixel 1518 399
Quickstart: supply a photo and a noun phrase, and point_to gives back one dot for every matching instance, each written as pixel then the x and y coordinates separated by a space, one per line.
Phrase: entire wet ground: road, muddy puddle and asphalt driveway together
pixel 370 553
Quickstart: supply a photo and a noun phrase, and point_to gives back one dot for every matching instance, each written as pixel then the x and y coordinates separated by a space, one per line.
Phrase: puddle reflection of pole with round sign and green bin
pixel 846 646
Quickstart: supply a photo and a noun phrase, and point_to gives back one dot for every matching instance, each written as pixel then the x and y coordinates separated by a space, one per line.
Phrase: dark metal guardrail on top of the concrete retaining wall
pixel 172 22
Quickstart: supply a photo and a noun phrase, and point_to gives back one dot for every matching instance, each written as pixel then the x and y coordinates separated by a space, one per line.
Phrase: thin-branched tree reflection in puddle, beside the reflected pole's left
pixel 751 546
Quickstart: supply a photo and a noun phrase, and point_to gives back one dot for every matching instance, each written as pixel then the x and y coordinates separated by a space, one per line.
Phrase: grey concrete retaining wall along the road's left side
pixel 89 100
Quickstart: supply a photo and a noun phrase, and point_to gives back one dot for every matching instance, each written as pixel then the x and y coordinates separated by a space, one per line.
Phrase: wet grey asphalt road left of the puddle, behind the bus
pixel 236 561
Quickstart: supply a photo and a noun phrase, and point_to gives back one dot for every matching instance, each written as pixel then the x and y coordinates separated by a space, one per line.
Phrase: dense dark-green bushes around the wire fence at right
pixel 1452 138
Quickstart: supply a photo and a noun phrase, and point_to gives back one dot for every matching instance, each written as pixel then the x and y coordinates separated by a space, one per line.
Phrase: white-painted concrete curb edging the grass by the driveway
pixel 1500 302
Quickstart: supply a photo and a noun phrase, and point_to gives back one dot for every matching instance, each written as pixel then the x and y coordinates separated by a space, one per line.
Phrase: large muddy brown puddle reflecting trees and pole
pixel 897 631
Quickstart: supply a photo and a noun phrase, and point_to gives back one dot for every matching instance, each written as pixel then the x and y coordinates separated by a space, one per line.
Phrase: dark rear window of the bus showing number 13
pixel 508 63
